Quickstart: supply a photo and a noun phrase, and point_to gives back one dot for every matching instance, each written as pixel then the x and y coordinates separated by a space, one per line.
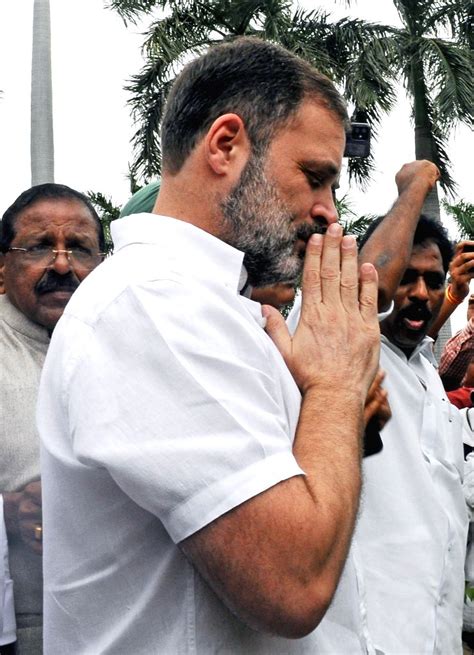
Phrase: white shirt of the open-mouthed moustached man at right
pixel 412 526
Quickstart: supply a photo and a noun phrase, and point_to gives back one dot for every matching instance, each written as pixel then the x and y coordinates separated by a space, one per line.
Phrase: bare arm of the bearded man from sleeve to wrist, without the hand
pixel 294 537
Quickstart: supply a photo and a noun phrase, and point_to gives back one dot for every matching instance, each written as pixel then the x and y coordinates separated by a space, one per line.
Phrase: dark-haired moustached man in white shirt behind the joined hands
pixel 412 526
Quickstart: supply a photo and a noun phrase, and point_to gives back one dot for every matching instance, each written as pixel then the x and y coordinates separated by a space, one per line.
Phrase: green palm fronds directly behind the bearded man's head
pixel 352 52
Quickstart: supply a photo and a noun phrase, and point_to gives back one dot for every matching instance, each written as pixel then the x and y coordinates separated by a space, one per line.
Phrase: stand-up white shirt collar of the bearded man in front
pixel 195 248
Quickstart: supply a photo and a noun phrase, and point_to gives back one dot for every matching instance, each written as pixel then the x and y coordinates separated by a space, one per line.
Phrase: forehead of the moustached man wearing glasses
pixel 53 216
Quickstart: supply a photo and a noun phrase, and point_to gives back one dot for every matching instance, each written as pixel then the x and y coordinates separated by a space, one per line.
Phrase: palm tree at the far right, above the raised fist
pixel 433 54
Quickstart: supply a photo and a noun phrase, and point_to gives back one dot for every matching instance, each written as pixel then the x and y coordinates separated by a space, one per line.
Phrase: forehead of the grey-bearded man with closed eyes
pixel 313 133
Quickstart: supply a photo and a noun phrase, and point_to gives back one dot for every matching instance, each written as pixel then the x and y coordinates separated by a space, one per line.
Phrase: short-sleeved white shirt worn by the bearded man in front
pixel 163 404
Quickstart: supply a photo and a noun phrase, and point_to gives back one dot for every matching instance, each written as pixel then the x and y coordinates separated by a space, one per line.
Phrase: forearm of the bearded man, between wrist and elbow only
pixel 328 448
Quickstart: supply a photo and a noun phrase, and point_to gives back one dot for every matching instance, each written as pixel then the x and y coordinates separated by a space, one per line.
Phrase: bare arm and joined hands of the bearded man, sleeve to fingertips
pixel 276 559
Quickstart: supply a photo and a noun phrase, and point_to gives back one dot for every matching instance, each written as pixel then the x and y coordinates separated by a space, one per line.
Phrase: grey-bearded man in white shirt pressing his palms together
pixel 199 495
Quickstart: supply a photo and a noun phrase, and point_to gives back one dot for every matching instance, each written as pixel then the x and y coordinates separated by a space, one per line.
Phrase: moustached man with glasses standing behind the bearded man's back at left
pixel 51 238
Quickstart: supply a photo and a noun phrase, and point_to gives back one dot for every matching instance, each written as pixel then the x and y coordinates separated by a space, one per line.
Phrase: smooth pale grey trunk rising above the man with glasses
pixel 42 146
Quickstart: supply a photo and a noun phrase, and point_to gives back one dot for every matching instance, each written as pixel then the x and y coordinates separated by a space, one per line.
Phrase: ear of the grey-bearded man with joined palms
pixel 227 145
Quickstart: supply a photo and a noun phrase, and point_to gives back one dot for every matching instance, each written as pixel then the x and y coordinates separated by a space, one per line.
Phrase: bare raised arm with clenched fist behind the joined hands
pixel 390 245
